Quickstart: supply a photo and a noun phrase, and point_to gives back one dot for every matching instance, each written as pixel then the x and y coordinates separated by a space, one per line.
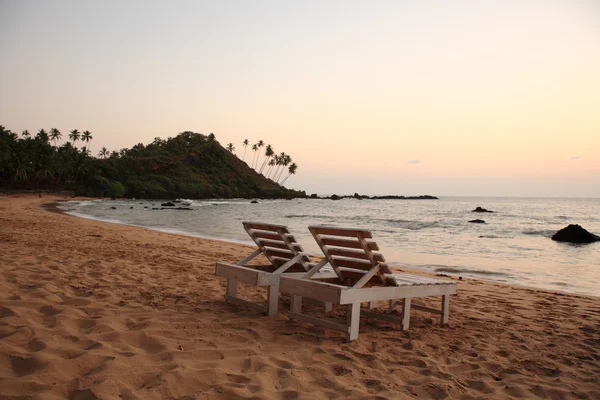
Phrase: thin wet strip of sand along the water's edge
pixel 53 207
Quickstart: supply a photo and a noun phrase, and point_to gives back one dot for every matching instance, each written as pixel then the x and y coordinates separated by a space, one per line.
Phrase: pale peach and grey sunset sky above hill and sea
pixel 460 98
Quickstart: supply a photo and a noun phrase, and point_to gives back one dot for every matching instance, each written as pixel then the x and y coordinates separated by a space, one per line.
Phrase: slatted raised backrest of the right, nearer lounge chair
pixel 352 253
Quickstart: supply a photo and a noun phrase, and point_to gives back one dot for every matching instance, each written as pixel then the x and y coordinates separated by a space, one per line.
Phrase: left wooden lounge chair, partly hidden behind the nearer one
pixel 284 254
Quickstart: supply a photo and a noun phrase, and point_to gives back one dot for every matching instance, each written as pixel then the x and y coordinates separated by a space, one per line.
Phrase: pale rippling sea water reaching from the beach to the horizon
pixel 513 246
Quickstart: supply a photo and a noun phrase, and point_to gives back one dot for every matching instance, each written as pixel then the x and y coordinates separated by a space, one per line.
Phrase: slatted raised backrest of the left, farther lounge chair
pixel 276 243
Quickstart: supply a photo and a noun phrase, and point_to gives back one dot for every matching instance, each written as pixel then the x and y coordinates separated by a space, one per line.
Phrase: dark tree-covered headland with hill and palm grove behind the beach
pixel 190 165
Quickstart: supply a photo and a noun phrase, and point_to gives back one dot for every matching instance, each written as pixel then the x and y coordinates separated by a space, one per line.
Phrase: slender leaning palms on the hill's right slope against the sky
pixel 273 165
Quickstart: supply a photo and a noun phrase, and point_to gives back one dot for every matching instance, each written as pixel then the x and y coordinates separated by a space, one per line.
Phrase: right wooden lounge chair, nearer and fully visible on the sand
pixel 361 276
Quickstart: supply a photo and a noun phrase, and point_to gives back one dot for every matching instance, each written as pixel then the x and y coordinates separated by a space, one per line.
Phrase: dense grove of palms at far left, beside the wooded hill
pixel 38 160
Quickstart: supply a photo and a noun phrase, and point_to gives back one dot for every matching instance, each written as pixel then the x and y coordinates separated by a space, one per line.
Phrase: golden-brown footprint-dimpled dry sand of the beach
pixel 95 310
